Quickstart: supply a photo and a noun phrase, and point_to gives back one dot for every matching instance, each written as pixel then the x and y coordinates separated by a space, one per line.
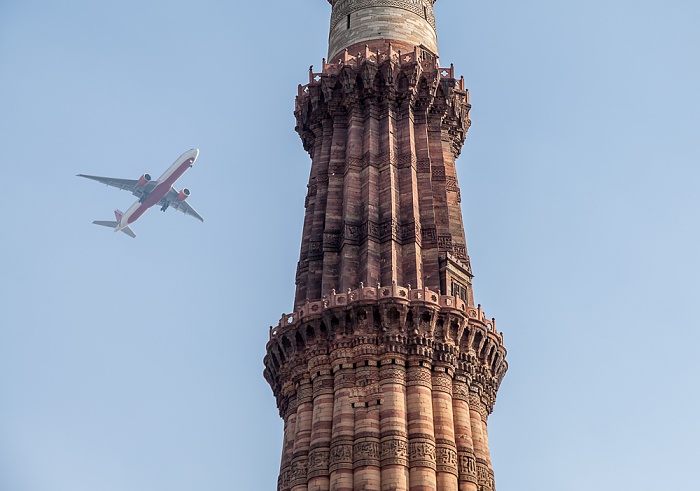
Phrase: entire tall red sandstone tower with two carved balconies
pixel 386 371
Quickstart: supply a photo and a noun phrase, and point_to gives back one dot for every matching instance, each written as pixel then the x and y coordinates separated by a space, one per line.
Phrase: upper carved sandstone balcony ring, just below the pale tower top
pixel 412 79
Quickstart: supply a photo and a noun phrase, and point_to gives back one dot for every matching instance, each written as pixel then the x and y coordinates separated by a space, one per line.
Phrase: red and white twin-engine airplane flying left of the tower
pixel 150 193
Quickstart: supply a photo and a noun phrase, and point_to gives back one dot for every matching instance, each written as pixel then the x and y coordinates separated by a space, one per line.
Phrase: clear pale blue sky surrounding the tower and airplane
pixel 136 364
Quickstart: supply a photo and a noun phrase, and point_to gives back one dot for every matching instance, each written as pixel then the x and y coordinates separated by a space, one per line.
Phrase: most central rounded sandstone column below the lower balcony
pixel 392 417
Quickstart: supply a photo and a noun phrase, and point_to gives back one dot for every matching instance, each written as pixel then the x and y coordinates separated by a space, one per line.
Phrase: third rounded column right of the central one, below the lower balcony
pixel 463 435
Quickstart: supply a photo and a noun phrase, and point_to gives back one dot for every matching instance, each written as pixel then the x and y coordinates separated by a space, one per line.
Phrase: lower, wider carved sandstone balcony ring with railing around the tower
pixel 362 326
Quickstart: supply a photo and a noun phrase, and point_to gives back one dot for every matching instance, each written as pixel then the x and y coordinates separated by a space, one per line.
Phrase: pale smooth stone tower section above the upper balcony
pixel 376 23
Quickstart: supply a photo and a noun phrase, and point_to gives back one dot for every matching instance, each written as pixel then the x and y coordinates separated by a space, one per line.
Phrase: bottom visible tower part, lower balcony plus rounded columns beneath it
pixel 385 388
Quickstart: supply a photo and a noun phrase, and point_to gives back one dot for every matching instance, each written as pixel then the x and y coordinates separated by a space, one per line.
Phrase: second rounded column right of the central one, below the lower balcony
pixel 446 449
